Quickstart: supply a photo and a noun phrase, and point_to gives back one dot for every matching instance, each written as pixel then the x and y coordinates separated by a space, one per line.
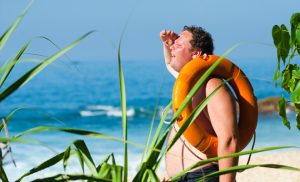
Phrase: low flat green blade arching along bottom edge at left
pixel 71 177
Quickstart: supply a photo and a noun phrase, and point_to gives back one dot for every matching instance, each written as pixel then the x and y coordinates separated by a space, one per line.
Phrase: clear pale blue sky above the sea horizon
pixel 229 22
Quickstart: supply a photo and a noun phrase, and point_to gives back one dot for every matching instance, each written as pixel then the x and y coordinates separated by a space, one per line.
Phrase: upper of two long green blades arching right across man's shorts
pixel 238 154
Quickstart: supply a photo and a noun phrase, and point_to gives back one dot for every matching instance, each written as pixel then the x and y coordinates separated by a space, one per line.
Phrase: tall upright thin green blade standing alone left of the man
pixel 124 114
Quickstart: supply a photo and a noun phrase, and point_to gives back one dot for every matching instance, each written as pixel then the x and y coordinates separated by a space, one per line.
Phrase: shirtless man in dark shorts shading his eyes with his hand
pixel 219 116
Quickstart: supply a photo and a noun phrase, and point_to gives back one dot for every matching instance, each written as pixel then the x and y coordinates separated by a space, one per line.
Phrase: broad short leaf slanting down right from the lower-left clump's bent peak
pixel 87 158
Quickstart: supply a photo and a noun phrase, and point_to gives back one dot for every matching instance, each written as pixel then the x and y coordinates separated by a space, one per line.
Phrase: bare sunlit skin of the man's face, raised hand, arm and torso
pixel 218 118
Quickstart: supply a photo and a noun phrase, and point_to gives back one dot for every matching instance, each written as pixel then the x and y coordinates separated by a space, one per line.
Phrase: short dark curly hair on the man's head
pixel 201 39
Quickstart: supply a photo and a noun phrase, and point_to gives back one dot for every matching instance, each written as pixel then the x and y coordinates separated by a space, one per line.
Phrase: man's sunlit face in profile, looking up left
pixel 181 51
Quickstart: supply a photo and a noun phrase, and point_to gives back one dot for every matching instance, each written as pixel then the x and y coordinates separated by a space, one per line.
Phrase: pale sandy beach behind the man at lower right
pixel 289 158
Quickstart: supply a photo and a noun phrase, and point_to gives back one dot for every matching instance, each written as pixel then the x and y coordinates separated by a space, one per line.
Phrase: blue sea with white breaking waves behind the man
pixel 86 95
